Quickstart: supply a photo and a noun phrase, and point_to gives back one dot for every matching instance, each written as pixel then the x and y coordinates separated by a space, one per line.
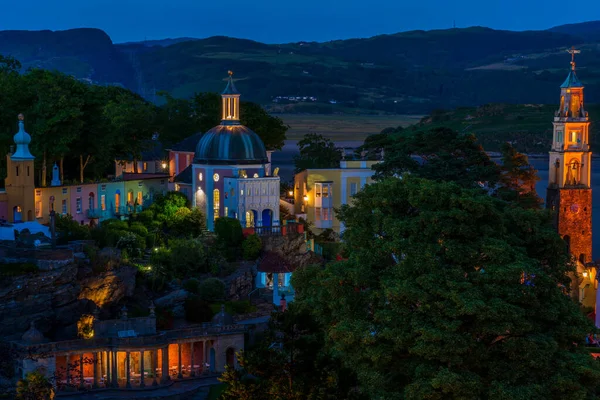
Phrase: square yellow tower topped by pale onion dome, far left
pixel 19 182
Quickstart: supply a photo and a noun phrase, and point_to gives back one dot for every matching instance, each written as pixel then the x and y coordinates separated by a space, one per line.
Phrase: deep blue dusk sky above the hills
pixel 287 20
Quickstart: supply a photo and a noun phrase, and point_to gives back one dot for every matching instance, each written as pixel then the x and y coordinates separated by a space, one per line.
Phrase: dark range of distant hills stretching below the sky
pixel 409 72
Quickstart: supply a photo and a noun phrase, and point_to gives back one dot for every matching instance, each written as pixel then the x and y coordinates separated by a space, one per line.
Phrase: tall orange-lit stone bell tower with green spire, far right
pixel 569 190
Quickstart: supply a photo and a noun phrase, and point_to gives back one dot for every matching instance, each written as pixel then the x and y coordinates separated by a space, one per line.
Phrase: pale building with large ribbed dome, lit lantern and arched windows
pixel 230 172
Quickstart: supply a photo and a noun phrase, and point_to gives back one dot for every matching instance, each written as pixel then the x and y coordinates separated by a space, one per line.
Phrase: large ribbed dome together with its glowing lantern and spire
pixel 230 142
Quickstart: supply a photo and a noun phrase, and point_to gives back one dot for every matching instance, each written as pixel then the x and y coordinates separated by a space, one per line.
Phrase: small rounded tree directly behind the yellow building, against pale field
pixel 317 152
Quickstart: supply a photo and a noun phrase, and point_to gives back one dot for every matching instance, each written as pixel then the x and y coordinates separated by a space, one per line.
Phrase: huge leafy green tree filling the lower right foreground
pixel 449 293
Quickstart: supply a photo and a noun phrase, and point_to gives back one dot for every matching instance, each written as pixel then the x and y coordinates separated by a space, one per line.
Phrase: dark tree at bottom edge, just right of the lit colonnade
pixel 290 363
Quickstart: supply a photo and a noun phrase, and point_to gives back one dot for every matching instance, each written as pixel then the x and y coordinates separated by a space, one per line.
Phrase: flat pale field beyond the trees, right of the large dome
pixel 343 127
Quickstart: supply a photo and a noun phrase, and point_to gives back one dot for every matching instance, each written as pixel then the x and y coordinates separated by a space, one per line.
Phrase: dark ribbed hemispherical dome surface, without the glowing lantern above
pixel 230 145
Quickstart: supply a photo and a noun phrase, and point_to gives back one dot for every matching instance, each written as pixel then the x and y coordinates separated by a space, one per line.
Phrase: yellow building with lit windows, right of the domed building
pixel 319 192
